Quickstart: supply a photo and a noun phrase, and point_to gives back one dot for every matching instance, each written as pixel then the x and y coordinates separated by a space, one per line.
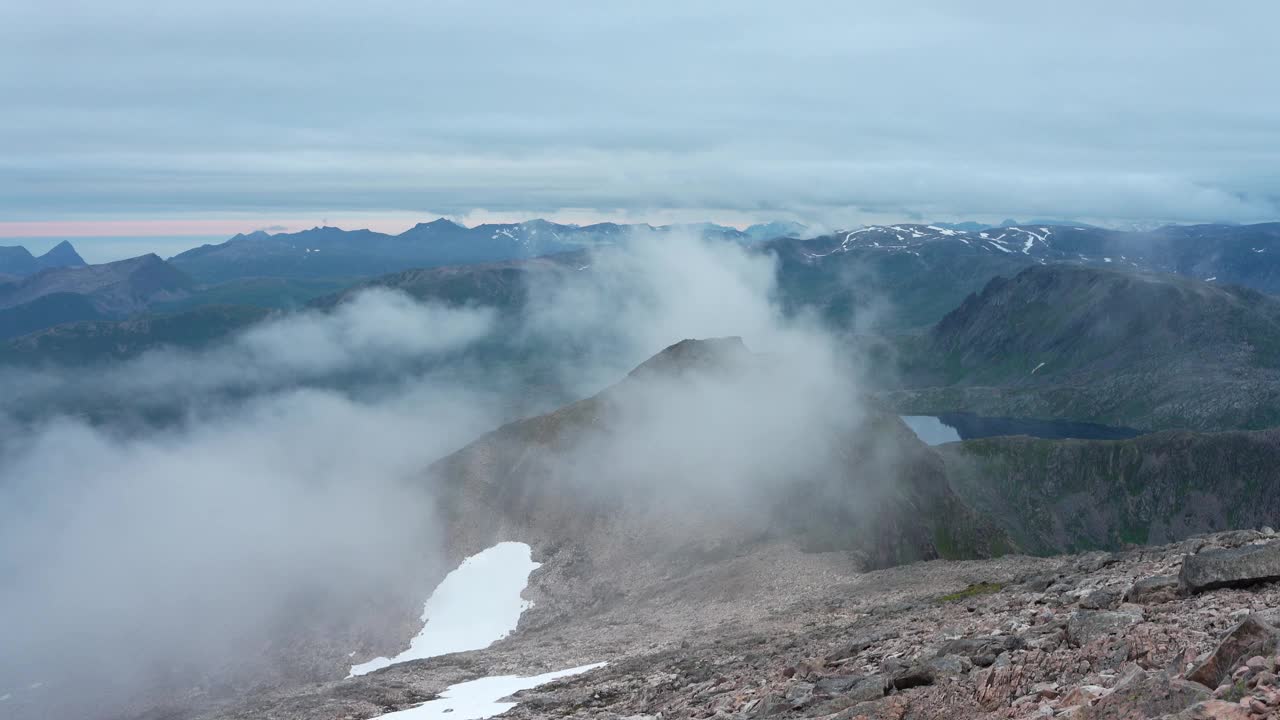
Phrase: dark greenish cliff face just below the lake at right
pixel 1067 496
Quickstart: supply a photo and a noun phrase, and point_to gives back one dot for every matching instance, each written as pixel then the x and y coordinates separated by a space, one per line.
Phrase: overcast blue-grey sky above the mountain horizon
pixel 154 124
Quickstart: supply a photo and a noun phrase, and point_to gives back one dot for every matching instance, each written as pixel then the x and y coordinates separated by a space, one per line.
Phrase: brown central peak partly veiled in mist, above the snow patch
pixel 840 480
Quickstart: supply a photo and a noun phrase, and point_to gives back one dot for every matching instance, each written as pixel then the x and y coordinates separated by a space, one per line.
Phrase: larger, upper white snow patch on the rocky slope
pixel 474 607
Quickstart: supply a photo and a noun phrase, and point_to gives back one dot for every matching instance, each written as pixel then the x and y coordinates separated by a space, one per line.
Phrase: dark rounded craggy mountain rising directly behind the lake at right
pixel 1108 347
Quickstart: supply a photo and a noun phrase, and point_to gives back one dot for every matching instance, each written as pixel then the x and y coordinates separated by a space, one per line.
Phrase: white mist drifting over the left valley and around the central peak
pixel 284 498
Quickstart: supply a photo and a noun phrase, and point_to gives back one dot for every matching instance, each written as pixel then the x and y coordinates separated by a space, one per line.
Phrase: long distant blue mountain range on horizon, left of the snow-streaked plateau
pixel 333 253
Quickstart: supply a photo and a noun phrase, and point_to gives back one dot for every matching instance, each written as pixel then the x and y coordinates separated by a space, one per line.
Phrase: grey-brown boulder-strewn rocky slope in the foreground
pixel 1185 631
